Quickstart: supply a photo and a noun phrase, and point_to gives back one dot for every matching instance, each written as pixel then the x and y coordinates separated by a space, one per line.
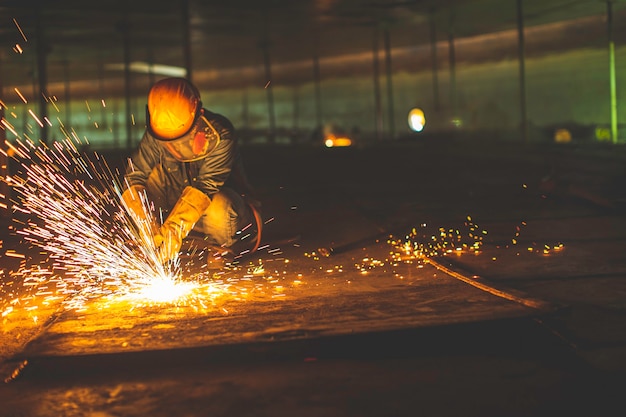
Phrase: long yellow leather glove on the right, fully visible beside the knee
pixel 190 206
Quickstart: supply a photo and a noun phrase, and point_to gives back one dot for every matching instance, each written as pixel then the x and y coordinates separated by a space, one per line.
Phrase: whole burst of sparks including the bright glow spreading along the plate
pixel 68 204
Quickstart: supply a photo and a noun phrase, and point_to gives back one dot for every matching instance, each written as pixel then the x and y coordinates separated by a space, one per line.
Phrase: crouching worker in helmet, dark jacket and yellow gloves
pixel 188 166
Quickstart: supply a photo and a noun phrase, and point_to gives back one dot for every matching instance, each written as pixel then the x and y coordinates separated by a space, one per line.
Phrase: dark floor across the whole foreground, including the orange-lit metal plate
pixel 341 323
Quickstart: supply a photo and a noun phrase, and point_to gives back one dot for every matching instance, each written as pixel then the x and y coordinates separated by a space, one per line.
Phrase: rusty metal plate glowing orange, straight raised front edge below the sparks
pixel 389 297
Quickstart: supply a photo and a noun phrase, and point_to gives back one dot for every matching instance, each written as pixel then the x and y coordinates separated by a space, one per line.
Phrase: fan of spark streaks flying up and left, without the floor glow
pixel 72 208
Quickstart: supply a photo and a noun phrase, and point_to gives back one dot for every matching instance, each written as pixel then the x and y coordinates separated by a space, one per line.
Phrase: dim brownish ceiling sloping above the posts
pixel 85 40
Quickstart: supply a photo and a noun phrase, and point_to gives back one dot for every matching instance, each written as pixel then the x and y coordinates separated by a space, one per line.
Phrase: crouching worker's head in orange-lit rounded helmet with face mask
pixel 175 118
